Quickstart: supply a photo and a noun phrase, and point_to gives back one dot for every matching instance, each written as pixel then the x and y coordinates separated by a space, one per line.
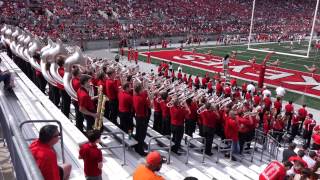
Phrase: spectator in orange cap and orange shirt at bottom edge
pixel 148 171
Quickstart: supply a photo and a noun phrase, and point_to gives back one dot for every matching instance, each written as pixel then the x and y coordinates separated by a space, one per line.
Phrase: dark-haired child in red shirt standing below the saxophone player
pixel 92 156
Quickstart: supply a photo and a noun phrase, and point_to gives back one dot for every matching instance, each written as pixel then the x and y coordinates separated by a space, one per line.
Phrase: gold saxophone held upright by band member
pixel 100 109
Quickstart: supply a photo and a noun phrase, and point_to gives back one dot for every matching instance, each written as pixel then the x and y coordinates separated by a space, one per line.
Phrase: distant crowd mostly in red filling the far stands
pixel 109 19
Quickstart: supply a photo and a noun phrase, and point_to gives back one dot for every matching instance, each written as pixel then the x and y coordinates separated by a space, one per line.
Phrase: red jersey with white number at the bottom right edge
pixel 274 171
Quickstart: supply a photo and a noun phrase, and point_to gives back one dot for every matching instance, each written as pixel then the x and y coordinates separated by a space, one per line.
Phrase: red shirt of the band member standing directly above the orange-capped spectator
pixel 140 105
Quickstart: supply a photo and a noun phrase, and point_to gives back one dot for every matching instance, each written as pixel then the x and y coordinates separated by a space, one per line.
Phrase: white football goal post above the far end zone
pixel 250 47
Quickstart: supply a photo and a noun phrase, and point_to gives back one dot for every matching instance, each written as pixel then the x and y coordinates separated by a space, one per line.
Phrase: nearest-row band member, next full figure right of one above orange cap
pixel 177 117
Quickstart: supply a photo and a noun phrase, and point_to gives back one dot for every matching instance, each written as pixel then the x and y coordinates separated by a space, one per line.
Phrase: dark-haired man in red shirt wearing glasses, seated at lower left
pixel 45 155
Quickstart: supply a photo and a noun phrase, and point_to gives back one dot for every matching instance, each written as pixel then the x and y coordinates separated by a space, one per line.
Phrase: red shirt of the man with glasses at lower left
pixel 46 159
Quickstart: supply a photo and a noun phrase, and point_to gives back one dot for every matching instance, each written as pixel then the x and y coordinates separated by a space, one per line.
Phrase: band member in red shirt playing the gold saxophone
pixel 86 103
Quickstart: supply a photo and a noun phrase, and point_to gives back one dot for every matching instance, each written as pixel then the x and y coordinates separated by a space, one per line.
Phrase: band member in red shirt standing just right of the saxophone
pixel 112 94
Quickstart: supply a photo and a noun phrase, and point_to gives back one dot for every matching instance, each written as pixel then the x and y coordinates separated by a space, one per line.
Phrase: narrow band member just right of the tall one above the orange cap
pixel 157 117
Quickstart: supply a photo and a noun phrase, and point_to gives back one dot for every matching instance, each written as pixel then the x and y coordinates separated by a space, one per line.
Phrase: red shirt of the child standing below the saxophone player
pixel 91 156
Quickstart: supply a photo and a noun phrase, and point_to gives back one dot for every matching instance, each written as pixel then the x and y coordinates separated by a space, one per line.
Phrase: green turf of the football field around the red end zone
pixel 289 62
